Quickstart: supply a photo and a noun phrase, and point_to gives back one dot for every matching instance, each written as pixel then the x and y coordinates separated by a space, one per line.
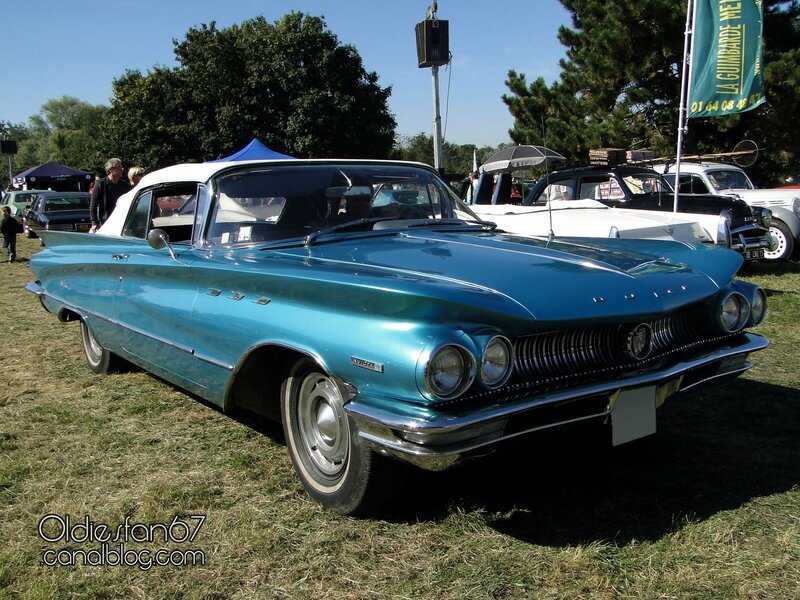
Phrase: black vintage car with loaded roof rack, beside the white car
pixel 643 188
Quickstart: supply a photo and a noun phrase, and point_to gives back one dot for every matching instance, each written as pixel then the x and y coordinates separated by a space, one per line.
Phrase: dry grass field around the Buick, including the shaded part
pixel 707 508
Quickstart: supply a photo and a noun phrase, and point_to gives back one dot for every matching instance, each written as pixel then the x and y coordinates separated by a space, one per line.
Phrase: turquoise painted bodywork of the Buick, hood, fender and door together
pixel 397 291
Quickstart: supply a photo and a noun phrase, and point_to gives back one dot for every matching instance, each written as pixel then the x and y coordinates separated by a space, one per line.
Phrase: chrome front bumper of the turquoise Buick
pixel 438 440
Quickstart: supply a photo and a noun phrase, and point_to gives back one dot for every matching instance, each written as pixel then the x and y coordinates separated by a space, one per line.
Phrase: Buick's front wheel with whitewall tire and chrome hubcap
pixel 334 465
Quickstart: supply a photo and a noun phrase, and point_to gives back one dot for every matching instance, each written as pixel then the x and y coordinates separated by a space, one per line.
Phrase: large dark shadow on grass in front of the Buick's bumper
pixel 715 450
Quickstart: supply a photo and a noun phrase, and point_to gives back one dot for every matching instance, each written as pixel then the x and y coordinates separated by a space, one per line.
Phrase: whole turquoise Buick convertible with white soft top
pixel 366 308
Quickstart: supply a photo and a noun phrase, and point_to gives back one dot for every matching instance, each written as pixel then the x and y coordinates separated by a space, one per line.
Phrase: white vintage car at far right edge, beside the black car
pixel 701 177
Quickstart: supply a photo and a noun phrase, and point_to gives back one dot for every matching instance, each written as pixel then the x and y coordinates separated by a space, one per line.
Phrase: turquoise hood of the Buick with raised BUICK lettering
pixel 527 277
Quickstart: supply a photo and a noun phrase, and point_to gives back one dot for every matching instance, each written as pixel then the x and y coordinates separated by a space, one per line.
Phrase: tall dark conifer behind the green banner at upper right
pixel 620 87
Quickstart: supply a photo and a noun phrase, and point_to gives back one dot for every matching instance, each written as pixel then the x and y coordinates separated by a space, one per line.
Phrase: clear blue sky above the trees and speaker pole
pixel 53 48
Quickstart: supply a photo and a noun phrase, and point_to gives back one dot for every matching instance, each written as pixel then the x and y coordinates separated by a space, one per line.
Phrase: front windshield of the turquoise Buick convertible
pixel 265 203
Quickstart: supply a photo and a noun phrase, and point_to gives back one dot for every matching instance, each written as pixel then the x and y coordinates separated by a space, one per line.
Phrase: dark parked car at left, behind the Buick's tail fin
pixel 57 211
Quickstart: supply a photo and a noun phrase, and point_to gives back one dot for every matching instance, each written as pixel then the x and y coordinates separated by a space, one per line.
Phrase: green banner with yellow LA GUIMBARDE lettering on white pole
pixel 725 59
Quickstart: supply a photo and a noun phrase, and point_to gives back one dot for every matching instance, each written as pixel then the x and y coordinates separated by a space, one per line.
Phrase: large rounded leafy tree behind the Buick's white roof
pixel 291 84
